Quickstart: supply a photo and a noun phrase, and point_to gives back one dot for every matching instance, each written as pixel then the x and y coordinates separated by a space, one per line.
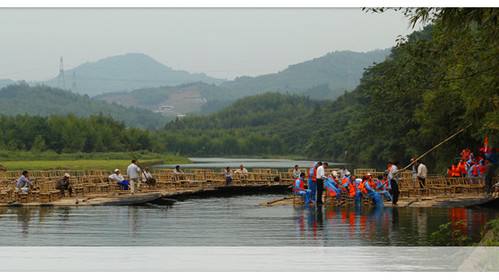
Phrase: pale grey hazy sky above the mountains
pixel 223 43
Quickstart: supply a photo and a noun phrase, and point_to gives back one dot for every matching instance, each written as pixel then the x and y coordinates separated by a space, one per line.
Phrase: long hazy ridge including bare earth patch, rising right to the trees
pixel 326 77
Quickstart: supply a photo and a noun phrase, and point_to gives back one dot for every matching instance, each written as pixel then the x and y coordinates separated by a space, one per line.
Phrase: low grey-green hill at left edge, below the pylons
pixel 43 101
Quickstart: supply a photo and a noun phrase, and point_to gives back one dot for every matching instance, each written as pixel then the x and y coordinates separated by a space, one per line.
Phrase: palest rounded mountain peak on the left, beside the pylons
pixel 124 73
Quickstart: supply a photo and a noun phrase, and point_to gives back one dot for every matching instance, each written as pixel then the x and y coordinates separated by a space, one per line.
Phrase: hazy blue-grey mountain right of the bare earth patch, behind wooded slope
pixel 325 77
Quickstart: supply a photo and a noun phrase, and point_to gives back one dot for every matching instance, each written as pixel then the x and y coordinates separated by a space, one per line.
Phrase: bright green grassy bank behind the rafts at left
pixel 18 160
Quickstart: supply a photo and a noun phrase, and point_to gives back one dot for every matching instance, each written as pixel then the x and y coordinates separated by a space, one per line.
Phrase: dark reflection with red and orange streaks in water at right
pixel 385 224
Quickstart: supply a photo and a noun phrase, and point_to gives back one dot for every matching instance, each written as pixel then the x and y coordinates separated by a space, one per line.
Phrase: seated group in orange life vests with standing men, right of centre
pixel 337 184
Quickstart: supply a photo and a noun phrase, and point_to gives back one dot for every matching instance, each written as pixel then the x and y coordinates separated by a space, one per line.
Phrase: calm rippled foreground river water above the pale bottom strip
pixel 231 221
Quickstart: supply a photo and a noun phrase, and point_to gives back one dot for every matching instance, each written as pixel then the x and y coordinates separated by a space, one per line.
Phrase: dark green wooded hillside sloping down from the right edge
pixel 434 82
